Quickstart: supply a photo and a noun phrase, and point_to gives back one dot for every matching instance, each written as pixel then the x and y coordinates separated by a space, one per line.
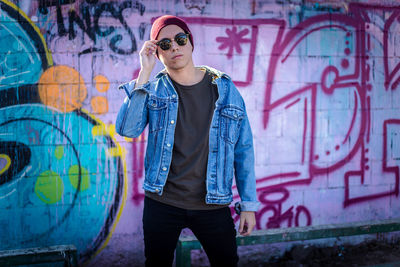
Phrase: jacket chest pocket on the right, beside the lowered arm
pixel 230 121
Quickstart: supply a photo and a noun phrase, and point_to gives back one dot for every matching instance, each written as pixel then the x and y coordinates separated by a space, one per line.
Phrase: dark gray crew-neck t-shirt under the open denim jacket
pixel 186 183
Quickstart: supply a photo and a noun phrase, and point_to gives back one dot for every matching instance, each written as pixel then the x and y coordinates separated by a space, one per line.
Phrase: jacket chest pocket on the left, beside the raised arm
pixel 157 112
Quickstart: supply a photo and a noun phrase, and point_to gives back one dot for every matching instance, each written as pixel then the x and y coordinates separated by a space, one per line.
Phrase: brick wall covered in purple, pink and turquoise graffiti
pixel 321 82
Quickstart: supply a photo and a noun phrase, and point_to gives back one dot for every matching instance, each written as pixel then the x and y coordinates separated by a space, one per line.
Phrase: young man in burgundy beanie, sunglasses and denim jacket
pixel 199 139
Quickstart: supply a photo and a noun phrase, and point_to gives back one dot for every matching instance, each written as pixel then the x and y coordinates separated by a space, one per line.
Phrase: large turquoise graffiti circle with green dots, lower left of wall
pixel 62 221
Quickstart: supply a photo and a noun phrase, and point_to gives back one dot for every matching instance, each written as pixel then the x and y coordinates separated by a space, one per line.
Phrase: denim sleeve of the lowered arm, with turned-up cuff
pixel 244 168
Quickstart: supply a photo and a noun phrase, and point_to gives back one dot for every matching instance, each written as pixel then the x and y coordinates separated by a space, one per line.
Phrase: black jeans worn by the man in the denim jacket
pixel 162 225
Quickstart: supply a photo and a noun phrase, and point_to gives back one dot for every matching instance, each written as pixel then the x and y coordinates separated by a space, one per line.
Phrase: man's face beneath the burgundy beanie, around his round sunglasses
pixel 177 57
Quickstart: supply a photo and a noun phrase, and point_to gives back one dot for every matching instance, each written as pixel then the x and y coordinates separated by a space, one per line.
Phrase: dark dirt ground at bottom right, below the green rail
pixel 363 254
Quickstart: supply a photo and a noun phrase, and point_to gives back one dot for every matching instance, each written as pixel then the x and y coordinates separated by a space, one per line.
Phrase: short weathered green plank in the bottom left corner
pixel 65 253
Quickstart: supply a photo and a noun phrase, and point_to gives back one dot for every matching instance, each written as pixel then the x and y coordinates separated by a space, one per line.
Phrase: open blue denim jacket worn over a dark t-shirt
pixel 231 152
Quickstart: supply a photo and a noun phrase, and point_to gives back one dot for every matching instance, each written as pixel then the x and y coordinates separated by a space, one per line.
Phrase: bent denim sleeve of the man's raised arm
pixel 132 116
